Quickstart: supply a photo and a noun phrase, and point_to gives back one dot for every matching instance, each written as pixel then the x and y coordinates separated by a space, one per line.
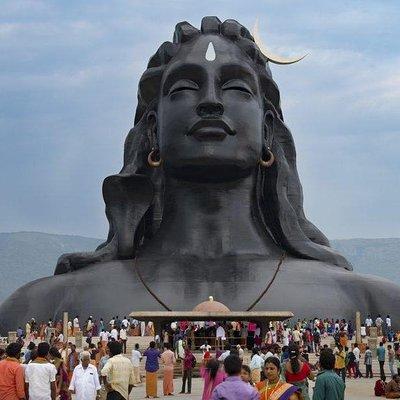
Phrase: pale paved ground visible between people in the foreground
pixel 356 389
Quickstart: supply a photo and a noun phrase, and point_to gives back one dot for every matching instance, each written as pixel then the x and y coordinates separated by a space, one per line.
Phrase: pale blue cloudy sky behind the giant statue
pixel 68 78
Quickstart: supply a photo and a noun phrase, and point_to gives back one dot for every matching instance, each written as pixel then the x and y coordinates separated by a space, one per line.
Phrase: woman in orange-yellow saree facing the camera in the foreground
pixel 273 388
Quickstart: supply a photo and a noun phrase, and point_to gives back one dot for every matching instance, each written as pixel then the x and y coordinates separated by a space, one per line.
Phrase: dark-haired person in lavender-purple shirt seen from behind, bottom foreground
pixel 233 388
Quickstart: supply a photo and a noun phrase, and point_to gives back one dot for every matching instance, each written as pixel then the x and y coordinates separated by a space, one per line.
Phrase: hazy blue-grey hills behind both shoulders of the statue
pixel 25 256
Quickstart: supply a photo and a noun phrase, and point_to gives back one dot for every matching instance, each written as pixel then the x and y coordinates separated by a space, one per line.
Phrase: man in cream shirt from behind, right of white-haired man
pixel 117 374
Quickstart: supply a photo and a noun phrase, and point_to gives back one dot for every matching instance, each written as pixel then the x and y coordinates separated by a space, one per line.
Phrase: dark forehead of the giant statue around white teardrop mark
pixel 195 52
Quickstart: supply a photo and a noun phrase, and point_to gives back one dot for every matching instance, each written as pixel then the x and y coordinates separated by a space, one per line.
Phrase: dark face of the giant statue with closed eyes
pixel 210 113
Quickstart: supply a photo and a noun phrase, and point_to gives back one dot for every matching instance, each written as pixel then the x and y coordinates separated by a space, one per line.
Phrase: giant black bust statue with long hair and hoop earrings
pixel 208 202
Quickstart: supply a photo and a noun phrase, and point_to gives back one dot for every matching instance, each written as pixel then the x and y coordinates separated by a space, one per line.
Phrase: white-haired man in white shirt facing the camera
pixel 85 382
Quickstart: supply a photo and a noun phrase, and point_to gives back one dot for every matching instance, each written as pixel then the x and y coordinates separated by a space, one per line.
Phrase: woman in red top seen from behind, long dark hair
pixel 297 371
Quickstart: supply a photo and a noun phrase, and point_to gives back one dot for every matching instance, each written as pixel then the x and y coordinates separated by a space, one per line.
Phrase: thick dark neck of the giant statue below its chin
pixel 211 220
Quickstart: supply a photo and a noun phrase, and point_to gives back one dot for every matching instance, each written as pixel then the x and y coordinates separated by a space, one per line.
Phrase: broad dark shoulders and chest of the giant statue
pixel 301 286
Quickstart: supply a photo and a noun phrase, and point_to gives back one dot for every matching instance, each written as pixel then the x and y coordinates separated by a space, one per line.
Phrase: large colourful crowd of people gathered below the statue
pixel 279 367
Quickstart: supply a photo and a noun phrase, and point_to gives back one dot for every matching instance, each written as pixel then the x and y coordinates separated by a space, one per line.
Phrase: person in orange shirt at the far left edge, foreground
pixel 12 386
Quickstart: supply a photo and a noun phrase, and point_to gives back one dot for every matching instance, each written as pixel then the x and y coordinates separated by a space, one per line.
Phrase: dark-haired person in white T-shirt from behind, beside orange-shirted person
pixel 40 376
